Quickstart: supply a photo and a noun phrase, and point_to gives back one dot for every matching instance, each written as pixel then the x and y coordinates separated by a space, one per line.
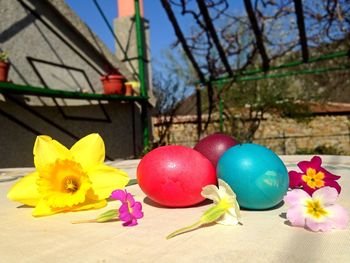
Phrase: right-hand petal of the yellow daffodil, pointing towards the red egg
pixel 105 179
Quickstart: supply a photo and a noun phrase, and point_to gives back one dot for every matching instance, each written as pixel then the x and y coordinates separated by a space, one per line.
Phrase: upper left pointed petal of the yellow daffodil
pixel 47 151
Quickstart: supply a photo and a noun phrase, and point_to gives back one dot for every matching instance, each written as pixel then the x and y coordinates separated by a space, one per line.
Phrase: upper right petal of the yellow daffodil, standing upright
pixel 89 151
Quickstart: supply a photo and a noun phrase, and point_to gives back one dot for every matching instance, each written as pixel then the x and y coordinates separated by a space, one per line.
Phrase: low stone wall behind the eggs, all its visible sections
pixel 330 134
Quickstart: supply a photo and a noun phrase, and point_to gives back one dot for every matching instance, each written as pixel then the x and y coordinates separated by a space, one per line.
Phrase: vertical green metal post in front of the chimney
pixel 141 64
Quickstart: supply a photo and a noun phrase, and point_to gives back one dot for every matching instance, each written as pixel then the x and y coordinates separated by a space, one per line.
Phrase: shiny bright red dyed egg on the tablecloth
pixel 175 175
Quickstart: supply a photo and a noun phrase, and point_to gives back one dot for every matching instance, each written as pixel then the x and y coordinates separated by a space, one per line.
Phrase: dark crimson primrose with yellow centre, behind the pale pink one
pixel 313 176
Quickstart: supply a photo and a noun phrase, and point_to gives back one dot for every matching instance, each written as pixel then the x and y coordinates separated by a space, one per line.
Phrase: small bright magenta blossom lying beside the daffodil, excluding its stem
pixel 130 210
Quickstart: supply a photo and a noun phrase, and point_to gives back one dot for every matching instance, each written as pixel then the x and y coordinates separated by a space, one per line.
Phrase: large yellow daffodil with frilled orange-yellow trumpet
pixel 68 179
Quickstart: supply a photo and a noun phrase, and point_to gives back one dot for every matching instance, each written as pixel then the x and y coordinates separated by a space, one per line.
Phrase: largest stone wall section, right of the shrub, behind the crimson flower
pixel 290 136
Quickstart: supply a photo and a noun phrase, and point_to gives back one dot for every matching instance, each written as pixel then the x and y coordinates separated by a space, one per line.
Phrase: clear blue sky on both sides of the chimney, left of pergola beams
pixel 161 31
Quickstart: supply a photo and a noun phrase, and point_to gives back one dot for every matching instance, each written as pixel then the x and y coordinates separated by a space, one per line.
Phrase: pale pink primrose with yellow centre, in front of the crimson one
pixel 319 212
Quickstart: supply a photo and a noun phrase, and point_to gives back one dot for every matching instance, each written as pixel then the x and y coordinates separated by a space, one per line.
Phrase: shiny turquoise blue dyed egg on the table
pixel 256 174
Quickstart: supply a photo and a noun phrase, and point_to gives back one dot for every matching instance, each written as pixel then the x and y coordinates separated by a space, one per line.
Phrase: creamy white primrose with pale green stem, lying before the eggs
pixel 225 210
